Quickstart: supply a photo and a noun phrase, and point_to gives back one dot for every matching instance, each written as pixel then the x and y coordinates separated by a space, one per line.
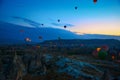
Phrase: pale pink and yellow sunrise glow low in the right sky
pixel 98 27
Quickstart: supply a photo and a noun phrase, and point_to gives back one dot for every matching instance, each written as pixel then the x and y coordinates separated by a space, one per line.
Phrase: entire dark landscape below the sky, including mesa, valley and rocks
pixel 61 60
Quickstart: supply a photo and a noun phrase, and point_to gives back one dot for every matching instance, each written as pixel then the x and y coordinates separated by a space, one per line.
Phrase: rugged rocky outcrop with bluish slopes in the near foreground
pixel 16 67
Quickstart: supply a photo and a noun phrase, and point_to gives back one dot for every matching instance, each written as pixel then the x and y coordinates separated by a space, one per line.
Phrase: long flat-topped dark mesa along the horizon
pixel 85 42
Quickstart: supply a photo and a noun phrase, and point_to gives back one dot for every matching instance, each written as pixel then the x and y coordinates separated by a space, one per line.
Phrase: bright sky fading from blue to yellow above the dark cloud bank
pixel 102 17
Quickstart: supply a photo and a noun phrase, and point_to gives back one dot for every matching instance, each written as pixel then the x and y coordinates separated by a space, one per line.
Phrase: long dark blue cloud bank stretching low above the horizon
pixel 16 34
